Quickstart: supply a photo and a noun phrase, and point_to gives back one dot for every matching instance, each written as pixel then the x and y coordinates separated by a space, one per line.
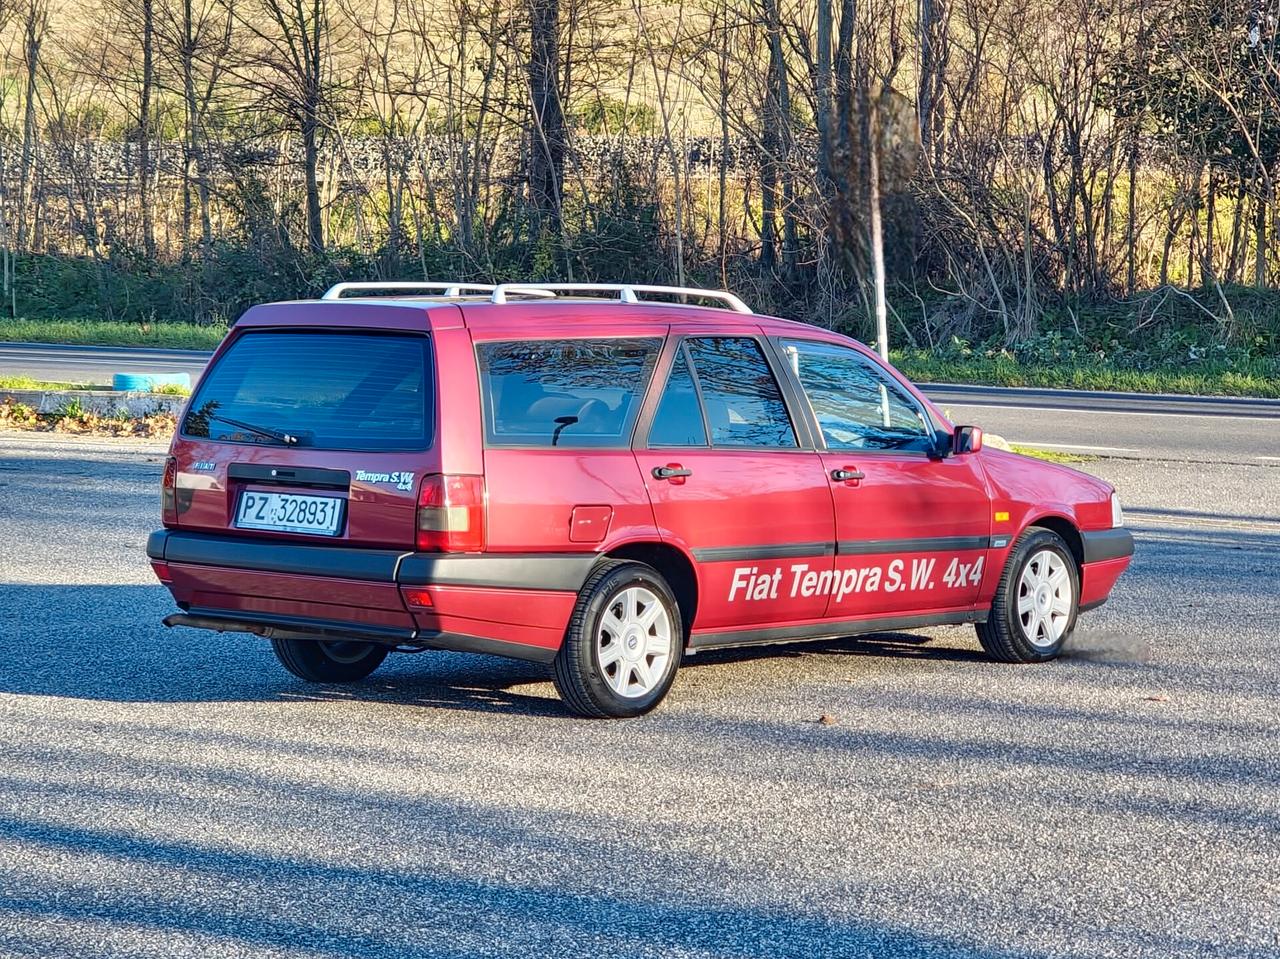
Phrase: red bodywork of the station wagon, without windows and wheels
pixel 767 544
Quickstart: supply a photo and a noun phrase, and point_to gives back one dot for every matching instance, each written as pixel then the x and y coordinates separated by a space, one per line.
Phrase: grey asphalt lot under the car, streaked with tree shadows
pixel 176 793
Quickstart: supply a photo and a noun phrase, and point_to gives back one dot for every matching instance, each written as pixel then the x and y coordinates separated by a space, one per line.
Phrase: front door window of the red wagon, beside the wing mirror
pixel 857 405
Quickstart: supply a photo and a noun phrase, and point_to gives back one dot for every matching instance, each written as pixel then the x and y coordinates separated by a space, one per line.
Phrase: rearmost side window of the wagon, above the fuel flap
pixel 564 392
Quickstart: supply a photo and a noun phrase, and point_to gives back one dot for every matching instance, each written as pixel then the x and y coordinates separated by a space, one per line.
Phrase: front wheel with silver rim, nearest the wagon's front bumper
pixel 1036 604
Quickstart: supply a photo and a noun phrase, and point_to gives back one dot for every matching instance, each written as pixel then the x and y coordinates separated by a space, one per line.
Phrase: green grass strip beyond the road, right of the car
pixel 1256 378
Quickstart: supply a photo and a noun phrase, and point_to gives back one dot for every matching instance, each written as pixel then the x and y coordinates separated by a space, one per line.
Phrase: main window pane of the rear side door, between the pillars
pixel 742 399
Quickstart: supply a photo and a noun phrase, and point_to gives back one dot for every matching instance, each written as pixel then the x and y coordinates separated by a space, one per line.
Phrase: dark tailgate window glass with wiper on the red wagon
pixel 326 391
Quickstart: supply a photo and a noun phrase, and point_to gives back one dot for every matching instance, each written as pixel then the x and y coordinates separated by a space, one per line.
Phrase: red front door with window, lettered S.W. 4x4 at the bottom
pixel 913 529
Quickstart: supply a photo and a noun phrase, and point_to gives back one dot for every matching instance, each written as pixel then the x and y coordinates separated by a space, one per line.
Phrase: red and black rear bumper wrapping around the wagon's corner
pixel 506 605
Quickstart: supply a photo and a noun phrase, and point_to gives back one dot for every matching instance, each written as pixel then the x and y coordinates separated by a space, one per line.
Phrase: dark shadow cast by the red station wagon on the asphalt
pixel 106 643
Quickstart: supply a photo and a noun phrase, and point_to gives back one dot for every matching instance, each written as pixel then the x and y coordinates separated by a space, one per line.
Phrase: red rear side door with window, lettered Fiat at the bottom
pixel 733 483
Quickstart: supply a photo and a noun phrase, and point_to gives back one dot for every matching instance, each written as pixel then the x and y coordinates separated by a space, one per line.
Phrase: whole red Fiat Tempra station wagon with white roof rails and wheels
pixel 605 479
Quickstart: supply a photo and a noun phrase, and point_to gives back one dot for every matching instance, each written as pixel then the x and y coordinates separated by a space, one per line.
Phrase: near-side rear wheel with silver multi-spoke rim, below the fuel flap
pixel 624 643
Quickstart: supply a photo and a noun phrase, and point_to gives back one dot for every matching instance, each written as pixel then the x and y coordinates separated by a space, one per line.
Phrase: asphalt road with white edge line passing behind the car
pixel 1208 430
